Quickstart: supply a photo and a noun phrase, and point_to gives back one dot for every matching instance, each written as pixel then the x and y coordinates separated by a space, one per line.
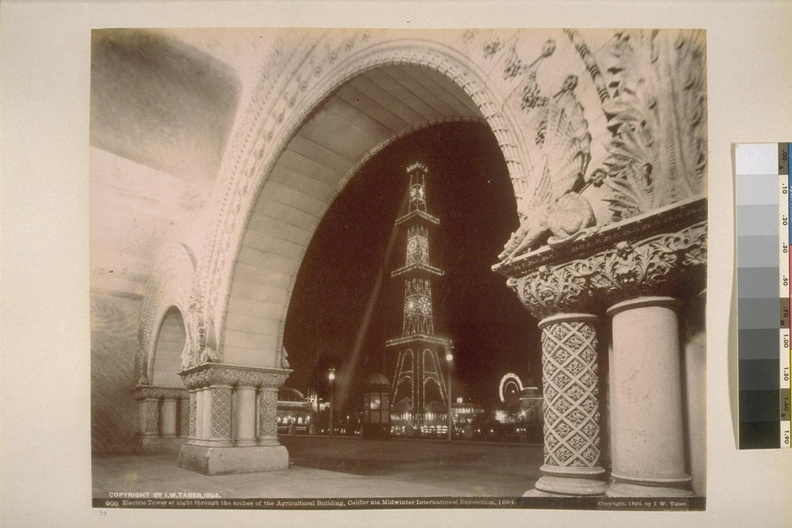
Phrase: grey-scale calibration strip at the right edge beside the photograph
pixel 763 291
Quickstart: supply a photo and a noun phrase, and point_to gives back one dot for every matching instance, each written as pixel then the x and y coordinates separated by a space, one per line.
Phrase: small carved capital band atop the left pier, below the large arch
pixel 210 374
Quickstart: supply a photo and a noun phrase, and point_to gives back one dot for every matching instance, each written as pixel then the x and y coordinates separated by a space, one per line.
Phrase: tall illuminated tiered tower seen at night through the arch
pixel 418 394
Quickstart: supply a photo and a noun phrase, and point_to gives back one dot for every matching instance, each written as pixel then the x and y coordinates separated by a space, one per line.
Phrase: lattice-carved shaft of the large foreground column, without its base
pixel 569 364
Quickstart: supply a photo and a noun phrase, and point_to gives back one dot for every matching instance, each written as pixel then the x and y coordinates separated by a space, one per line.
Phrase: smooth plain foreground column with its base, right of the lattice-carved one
pixel 646 400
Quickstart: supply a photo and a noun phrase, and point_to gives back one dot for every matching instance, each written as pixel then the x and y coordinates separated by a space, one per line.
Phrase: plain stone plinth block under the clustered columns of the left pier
pixel 226 460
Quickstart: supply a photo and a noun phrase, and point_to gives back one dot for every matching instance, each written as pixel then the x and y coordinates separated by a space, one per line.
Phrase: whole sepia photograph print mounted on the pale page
pixel 385 268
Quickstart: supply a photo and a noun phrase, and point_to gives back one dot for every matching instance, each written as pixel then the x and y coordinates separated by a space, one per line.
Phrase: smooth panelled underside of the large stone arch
pixel 354 122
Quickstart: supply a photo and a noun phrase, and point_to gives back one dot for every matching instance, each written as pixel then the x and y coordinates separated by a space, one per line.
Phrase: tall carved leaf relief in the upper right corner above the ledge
pixel 657 113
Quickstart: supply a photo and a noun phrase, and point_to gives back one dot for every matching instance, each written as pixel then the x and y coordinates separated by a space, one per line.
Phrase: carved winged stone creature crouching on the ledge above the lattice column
pixel 553 205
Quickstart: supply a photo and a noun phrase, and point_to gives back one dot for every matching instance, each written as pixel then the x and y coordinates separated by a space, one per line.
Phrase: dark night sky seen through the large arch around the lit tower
pixel 345 305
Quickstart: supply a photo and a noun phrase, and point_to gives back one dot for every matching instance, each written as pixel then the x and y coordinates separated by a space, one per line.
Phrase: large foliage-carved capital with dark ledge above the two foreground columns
pixel 614 264
